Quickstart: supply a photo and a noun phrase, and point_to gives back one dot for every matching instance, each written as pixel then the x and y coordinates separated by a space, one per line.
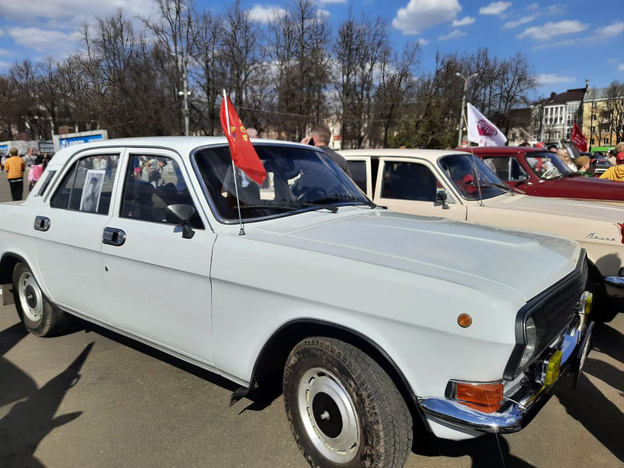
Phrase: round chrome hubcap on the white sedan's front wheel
pixel 328 415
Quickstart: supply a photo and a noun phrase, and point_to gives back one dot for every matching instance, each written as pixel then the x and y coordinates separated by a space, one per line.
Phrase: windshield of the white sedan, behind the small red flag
pixel 298 179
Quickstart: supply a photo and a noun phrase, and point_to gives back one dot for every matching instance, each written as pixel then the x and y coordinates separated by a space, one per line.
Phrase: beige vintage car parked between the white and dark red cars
pixel 459 186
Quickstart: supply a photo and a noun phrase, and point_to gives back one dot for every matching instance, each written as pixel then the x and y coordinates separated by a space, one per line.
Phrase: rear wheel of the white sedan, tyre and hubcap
pixel 37 313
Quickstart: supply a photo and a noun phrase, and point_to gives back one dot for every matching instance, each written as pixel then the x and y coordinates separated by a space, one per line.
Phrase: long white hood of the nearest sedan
pixel 476 256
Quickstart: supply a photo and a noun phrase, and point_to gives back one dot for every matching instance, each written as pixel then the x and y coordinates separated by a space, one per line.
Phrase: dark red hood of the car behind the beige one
pixel 577 187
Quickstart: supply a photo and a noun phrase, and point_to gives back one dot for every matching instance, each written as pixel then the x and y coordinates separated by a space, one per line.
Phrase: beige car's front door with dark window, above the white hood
pixel 410 186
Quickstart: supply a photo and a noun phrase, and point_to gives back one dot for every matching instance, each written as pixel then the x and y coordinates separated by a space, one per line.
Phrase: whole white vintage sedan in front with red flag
pixel 373 320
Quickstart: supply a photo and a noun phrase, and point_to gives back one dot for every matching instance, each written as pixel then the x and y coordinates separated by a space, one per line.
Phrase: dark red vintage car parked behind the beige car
pixel 538 172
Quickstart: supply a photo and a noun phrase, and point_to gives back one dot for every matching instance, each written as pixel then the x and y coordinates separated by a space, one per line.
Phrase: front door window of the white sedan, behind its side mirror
pixel 150 185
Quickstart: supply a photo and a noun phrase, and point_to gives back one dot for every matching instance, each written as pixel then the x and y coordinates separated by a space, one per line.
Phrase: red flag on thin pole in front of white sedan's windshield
pixel 243 153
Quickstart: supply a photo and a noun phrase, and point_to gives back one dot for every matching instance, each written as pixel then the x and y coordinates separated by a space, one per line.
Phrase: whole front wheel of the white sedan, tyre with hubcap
pixel 358 419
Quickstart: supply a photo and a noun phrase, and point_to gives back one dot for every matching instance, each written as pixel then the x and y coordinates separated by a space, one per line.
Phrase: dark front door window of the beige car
pixel 408 181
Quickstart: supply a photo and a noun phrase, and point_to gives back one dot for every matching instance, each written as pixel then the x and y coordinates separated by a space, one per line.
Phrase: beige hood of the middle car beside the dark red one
pixel 552 206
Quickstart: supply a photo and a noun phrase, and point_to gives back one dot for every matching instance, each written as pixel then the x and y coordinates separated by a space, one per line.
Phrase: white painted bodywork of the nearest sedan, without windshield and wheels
pixel 217 299
